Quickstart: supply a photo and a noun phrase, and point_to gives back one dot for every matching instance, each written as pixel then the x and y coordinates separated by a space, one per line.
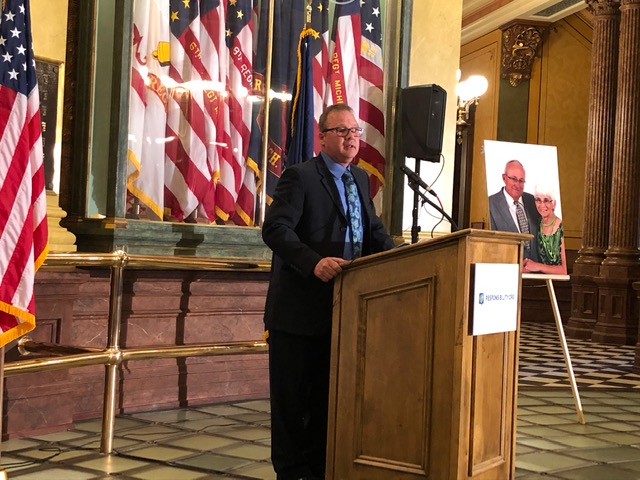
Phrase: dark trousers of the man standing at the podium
pixel 299 384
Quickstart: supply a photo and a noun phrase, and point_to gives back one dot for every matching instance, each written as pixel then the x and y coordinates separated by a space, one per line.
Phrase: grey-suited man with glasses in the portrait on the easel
pixel 514 210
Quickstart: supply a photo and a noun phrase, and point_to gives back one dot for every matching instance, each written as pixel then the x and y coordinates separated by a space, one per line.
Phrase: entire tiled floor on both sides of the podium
pixel 232 441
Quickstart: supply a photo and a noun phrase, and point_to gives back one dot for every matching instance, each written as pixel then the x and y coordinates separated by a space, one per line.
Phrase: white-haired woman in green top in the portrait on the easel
pixel 550 236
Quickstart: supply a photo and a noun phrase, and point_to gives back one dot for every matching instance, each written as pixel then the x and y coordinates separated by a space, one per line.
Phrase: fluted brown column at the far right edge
pixel 617 311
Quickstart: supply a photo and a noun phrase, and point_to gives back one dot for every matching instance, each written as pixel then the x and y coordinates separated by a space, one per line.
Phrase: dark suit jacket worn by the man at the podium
pixel 305 223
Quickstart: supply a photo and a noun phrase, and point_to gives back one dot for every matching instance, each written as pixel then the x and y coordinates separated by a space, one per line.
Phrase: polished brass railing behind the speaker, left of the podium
pixel 112 355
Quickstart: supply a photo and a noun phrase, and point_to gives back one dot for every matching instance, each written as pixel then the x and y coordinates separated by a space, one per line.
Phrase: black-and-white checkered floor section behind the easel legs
pixel 594 365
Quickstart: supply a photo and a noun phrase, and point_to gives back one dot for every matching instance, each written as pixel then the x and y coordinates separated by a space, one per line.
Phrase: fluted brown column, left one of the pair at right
pixel 598 167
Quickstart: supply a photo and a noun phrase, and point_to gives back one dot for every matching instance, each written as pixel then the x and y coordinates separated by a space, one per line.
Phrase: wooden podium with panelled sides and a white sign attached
pixel 413 395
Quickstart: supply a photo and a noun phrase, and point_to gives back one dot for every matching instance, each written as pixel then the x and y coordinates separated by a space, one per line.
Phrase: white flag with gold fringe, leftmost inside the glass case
pixel 148 106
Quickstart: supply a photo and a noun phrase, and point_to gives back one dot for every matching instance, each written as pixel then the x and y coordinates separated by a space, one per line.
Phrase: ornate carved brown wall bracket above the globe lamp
pixel 520 44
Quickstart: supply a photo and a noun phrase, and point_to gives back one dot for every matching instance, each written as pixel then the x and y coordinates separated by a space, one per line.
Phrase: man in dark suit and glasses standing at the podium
pixel 317 222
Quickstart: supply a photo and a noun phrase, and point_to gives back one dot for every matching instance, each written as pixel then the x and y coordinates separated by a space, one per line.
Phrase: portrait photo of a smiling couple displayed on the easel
pixel 526 199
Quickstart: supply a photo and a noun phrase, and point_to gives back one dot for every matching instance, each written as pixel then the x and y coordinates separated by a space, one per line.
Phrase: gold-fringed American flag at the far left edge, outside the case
pixel 23 205
